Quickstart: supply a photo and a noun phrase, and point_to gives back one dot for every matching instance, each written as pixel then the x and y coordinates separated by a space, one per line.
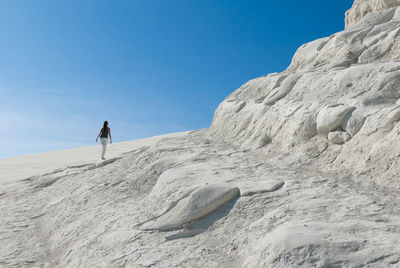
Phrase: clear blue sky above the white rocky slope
pixel 149 67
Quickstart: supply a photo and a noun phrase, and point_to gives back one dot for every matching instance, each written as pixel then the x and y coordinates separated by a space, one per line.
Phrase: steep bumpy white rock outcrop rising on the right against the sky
pixel 342 91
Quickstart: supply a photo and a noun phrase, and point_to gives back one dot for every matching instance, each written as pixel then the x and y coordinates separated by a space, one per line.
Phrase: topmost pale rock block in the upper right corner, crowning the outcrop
pixel 361 8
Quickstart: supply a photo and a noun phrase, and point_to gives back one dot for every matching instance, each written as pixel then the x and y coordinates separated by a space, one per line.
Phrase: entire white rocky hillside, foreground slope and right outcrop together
pixel 298 169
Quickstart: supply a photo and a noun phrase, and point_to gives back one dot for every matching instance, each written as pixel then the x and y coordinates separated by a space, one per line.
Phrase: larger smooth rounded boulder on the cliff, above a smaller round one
pixel 332 117
